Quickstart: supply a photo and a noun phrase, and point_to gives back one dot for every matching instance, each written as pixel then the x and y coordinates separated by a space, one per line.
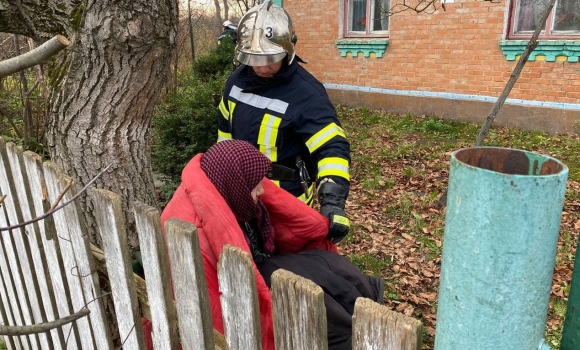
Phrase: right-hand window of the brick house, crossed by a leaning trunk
pixel 563 22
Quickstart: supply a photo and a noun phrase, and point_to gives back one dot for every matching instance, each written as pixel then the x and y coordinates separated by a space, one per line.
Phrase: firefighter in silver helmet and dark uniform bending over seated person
pixel 271 101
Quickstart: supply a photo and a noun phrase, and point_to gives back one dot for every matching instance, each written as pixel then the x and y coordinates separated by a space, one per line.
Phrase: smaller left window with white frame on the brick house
pixel 367 18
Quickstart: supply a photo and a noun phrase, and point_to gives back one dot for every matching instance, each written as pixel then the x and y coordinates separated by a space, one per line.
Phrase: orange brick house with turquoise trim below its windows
pixel 452 63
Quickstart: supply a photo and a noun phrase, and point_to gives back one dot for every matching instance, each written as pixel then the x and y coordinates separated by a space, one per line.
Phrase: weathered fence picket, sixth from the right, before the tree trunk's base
pixel 111 225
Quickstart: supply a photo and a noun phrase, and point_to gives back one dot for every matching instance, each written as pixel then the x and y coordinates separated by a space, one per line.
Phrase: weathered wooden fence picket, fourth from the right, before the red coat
pixel 190 289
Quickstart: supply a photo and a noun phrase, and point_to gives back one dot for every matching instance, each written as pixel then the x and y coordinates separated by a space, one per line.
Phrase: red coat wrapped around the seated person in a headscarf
pixel 296 227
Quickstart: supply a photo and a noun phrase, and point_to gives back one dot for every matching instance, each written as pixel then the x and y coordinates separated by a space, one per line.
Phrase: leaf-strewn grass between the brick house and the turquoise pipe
pixel 399 171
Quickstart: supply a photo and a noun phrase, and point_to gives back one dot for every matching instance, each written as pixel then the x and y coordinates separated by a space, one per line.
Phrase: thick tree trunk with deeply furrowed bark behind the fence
pixel 104 89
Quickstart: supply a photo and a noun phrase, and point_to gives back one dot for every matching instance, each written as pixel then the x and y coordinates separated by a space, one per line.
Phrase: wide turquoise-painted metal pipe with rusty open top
pixel 501 231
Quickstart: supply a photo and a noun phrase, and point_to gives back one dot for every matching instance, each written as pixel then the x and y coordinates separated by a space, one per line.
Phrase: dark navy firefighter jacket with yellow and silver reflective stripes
pixel 286 117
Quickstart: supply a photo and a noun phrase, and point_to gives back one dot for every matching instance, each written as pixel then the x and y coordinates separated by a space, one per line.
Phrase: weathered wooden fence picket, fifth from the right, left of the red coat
pixel 155 266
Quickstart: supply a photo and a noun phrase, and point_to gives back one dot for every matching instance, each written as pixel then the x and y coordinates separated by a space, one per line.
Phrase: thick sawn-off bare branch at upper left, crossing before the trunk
pixel 33 57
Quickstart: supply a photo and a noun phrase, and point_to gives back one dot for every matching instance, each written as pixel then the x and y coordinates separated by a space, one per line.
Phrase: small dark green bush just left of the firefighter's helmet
pixel 216 62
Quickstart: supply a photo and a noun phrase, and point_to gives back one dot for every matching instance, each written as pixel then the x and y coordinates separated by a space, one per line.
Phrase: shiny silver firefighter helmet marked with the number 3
pixel 265 36
